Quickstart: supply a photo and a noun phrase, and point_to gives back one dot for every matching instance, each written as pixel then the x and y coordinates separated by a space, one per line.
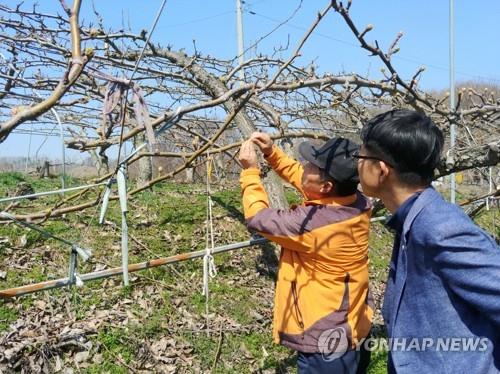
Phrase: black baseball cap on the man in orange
pixel 334 157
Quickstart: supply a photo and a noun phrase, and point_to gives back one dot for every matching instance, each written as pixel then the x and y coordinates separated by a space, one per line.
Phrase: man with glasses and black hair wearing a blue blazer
pixel 442 300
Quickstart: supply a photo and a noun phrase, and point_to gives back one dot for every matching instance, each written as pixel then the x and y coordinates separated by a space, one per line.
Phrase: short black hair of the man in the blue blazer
pixel 408 140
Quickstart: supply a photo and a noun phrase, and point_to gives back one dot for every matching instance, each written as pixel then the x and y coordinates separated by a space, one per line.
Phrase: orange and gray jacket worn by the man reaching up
pixel 322 281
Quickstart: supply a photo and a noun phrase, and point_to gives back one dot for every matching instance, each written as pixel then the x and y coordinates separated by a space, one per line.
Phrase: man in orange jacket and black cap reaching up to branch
pixel 323 307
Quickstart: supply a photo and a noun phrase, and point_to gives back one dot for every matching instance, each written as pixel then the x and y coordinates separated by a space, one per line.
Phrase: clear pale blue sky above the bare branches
pixel 332 47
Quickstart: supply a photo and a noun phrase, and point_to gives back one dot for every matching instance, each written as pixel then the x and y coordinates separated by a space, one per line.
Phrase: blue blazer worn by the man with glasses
pixel 442 300
